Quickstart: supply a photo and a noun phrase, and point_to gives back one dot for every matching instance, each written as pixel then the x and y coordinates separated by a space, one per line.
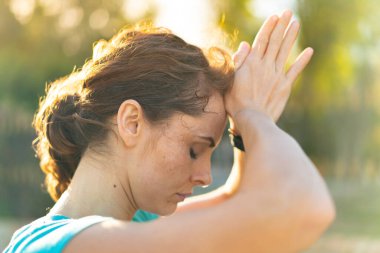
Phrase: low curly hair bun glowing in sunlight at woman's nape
pixel 61 140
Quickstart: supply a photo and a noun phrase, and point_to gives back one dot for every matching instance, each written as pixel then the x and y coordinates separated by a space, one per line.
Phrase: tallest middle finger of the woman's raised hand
pixel 277 36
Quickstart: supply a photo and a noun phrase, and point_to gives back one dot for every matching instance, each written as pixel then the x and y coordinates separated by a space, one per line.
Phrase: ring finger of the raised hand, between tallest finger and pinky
pixel 287 45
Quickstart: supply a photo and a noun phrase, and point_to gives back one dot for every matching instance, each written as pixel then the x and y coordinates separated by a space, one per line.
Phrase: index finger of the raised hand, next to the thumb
pixel 260 43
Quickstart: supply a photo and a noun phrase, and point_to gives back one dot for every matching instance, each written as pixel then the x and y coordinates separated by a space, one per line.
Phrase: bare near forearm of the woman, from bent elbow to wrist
pixel 281 187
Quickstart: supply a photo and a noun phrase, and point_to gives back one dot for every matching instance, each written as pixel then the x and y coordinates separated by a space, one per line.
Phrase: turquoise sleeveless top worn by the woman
pixel 52 233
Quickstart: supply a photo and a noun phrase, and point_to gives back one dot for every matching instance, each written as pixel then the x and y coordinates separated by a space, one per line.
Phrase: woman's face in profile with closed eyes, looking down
pixel 178 158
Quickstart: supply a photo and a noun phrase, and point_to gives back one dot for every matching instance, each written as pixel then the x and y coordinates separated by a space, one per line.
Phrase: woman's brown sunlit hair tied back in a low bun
pixel 150 65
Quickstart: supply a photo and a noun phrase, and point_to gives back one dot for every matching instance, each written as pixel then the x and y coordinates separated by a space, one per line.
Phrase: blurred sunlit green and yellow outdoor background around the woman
pixel 333 111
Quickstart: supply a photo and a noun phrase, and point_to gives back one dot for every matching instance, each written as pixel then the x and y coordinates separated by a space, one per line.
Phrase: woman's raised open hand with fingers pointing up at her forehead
pixel 261 82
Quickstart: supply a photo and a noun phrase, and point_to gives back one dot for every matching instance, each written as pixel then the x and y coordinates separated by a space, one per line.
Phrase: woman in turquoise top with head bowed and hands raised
pixel 135 129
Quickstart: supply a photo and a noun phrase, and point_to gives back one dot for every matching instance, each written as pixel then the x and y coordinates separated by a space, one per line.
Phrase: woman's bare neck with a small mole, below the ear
pixel 96 189
